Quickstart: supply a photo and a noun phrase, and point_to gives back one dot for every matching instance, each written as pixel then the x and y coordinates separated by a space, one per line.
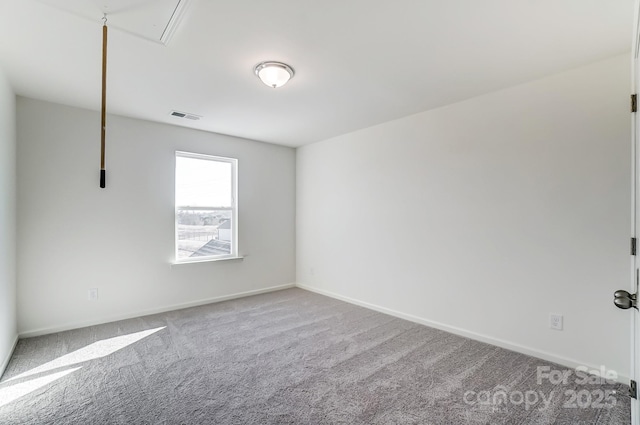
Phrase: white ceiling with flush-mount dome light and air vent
pixel 358 62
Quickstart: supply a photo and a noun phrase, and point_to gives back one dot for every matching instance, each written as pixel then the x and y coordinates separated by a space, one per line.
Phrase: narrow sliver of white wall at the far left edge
pixel 8 329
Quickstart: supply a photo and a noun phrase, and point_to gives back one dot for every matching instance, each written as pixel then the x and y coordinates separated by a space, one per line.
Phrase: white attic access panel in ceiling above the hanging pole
pixel 153 20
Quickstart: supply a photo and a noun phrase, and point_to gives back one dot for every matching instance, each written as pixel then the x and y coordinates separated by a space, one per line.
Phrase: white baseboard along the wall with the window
pixel 132 315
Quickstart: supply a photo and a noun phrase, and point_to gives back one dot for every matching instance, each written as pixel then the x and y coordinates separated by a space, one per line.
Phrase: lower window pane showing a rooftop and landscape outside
pixel 204 233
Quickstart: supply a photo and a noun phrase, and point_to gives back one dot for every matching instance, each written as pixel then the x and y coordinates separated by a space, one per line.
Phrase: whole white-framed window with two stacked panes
pixel 206 207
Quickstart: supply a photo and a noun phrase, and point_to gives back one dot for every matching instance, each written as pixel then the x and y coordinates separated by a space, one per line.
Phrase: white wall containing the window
pixel 74 236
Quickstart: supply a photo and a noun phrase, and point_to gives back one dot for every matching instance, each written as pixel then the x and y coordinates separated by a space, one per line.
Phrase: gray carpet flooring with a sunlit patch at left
pixel 289 357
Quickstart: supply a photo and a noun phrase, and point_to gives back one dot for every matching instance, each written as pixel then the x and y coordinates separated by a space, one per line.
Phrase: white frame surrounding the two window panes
pixel 233 208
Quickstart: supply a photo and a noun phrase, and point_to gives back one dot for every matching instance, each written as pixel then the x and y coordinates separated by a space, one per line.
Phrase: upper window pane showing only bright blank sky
pixel 203 183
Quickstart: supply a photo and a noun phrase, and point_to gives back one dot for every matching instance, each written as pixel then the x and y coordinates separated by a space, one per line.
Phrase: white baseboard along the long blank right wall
pixel 543 355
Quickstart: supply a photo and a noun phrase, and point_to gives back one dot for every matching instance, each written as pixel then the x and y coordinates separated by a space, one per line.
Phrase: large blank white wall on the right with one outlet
pixel 484 216
